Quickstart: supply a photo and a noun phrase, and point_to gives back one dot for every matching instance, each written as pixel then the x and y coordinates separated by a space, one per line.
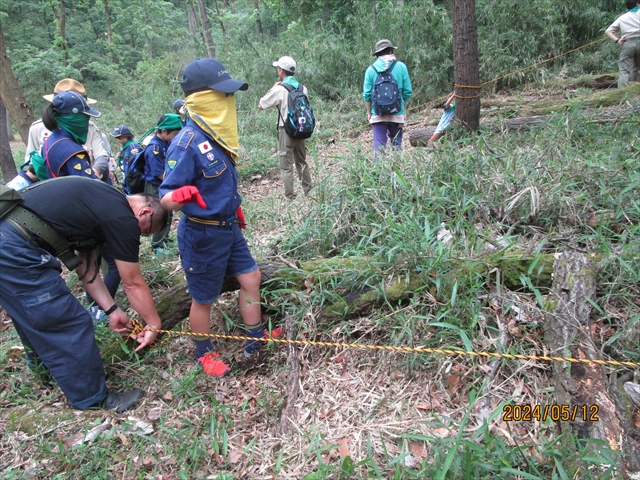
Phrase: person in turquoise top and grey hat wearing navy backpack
pixel 386 90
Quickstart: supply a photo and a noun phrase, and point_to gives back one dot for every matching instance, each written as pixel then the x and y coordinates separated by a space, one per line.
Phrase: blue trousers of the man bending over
pixel 49 319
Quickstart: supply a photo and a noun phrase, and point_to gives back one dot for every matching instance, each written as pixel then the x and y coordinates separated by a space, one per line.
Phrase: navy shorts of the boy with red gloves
pixel 209 254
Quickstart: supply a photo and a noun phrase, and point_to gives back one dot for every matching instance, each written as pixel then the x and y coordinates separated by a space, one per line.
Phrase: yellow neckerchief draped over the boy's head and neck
pixel 215 113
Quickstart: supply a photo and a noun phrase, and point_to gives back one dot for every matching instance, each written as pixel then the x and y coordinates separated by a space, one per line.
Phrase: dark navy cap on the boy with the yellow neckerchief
pixel 209 74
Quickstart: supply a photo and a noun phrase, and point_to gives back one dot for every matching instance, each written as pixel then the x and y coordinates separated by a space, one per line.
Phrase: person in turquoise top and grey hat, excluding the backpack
pixel 386 127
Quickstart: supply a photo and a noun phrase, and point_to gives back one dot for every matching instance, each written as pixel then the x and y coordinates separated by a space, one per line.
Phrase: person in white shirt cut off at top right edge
pixel 625 31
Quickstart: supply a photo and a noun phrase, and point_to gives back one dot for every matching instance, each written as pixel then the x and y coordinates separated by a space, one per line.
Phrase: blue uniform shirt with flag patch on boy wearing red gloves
pixel 195 159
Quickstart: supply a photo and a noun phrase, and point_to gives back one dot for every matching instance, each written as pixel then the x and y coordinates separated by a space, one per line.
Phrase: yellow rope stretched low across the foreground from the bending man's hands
pixel 389 348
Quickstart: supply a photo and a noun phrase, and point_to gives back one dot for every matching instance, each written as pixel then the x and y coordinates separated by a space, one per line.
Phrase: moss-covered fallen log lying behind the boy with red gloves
pixel 356 299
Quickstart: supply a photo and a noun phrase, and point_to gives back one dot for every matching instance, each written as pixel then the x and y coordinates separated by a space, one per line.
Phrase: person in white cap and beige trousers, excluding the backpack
pixel 291 151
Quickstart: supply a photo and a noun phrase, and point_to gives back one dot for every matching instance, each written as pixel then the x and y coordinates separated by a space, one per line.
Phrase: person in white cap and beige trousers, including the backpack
pixel 295 124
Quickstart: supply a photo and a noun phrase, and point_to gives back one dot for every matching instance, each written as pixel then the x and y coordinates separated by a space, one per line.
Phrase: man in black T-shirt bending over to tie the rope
pixel 56 331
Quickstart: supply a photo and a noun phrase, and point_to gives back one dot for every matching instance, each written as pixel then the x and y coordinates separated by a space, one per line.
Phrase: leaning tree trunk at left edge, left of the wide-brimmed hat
pixel 12 95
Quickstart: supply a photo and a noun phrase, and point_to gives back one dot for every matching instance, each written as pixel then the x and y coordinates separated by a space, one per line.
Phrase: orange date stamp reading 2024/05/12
pixel 564 413
